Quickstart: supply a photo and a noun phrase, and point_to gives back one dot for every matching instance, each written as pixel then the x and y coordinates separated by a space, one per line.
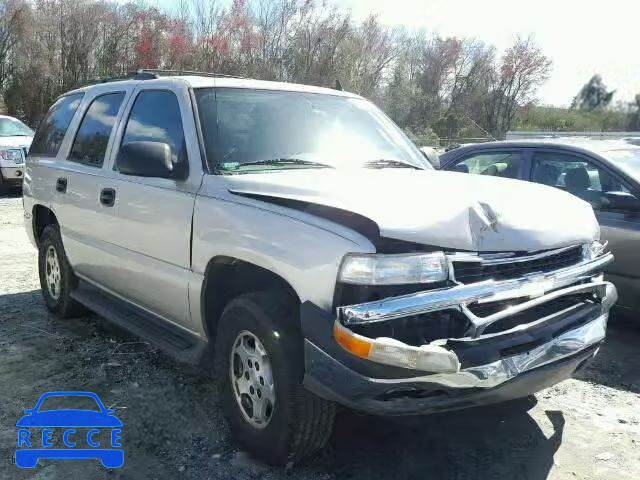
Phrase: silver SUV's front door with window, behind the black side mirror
pixel 148 259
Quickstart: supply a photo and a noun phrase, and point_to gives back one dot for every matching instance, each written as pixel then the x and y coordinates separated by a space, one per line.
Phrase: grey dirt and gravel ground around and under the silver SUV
pixel 583 428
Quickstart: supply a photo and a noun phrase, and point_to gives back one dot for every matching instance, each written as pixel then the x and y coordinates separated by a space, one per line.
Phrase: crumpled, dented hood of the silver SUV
pixel 446 209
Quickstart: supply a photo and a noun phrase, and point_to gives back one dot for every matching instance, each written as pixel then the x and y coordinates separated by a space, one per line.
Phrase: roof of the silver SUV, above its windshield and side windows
pixel 197 81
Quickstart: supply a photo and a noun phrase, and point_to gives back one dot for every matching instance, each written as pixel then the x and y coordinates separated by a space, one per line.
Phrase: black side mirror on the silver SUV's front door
pixel 149 159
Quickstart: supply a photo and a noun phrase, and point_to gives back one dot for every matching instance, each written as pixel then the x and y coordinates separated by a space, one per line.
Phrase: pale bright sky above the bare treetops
pixel 581 37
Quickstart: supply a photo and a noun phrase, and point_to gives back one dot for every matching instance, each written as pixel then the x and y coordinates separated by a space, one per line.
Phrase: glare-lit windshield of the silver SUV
pixel 256 130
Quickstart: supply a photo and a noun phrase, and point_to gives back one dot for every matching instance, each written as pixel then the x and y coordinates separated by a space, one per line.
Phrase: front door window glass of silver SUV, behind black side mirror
pixel 155 116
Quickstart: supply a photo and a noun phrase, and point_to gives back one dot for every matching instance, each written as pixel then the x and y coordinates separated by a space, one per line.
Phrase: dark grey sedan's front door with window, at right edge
pixel 594 181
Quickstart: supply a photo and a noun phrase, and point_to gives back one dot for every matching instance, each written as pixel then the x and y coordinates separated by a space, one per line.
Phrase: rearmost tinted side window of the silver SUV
pixel 52 129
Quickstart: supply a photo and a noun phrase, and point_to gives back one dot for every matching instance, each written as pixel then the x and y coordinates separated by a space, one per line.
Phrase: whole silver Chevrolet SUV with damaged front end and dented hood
pixel 289 239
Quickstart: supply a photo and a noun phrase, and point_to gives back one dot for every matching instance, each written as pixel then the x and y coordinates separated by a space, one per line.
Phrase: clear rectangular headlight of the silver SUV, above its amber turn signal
pixel 379 269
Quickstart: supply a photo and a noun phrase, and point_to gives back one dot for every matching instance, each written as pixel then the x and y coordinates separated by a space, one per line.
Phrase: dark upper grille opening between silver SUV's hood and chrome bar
pixel 470 272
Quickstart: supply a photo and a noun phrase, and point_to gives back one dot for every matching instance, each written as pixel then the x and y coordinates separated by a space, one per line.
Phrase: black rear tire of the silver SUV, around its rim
pixel 58 300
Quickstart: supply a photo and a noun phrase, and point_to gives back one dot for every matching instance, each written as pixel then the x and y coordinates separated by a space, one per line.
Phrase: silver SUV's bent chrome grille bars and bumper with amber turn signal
pixel 438 356
